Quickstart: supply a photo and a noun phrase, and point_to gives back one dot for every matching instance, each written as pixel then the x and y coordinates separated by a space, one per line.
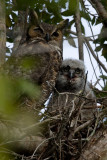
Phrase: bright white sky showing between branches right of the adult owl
pixel 71 52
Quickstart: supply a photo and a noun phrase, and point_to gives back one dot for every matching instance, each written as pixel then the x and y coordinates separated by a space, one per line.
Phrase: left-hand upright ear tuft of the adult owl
pixel 34 18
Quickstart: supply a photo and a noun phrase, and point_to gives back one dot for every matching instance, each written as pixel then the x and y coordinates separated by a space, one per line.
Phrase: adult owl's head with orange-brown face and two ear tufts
pixel 49 33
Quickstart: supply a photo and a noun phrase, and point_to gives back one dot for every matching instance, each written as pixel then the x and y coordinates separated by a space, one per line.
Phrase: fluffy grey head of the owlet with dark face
pixel 71 77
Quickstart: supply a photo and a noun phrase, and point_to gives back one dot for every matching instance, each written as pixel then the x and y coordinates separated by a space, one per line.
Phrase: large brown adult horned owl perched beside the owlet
pixel 39 57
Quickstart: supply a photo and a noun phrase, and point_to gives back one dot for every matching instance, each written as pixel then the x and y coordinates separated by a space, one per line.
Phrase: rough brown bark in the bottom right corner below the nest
pixel 97 147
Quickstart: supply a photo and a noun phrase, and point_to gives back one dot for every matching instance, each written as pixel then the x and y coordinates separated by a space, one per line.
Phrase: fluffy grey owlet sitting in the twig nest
pixel 71 81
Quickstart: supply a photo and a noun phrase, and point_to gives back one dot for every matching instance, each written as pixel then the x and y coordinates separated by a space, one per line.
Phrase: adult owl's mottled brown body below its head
pixel 37 62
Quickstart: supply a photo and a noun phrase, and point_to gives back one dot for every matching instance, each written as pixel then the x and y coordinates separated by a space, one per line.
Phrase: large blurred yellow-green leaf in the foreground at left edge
pixel 11 89
